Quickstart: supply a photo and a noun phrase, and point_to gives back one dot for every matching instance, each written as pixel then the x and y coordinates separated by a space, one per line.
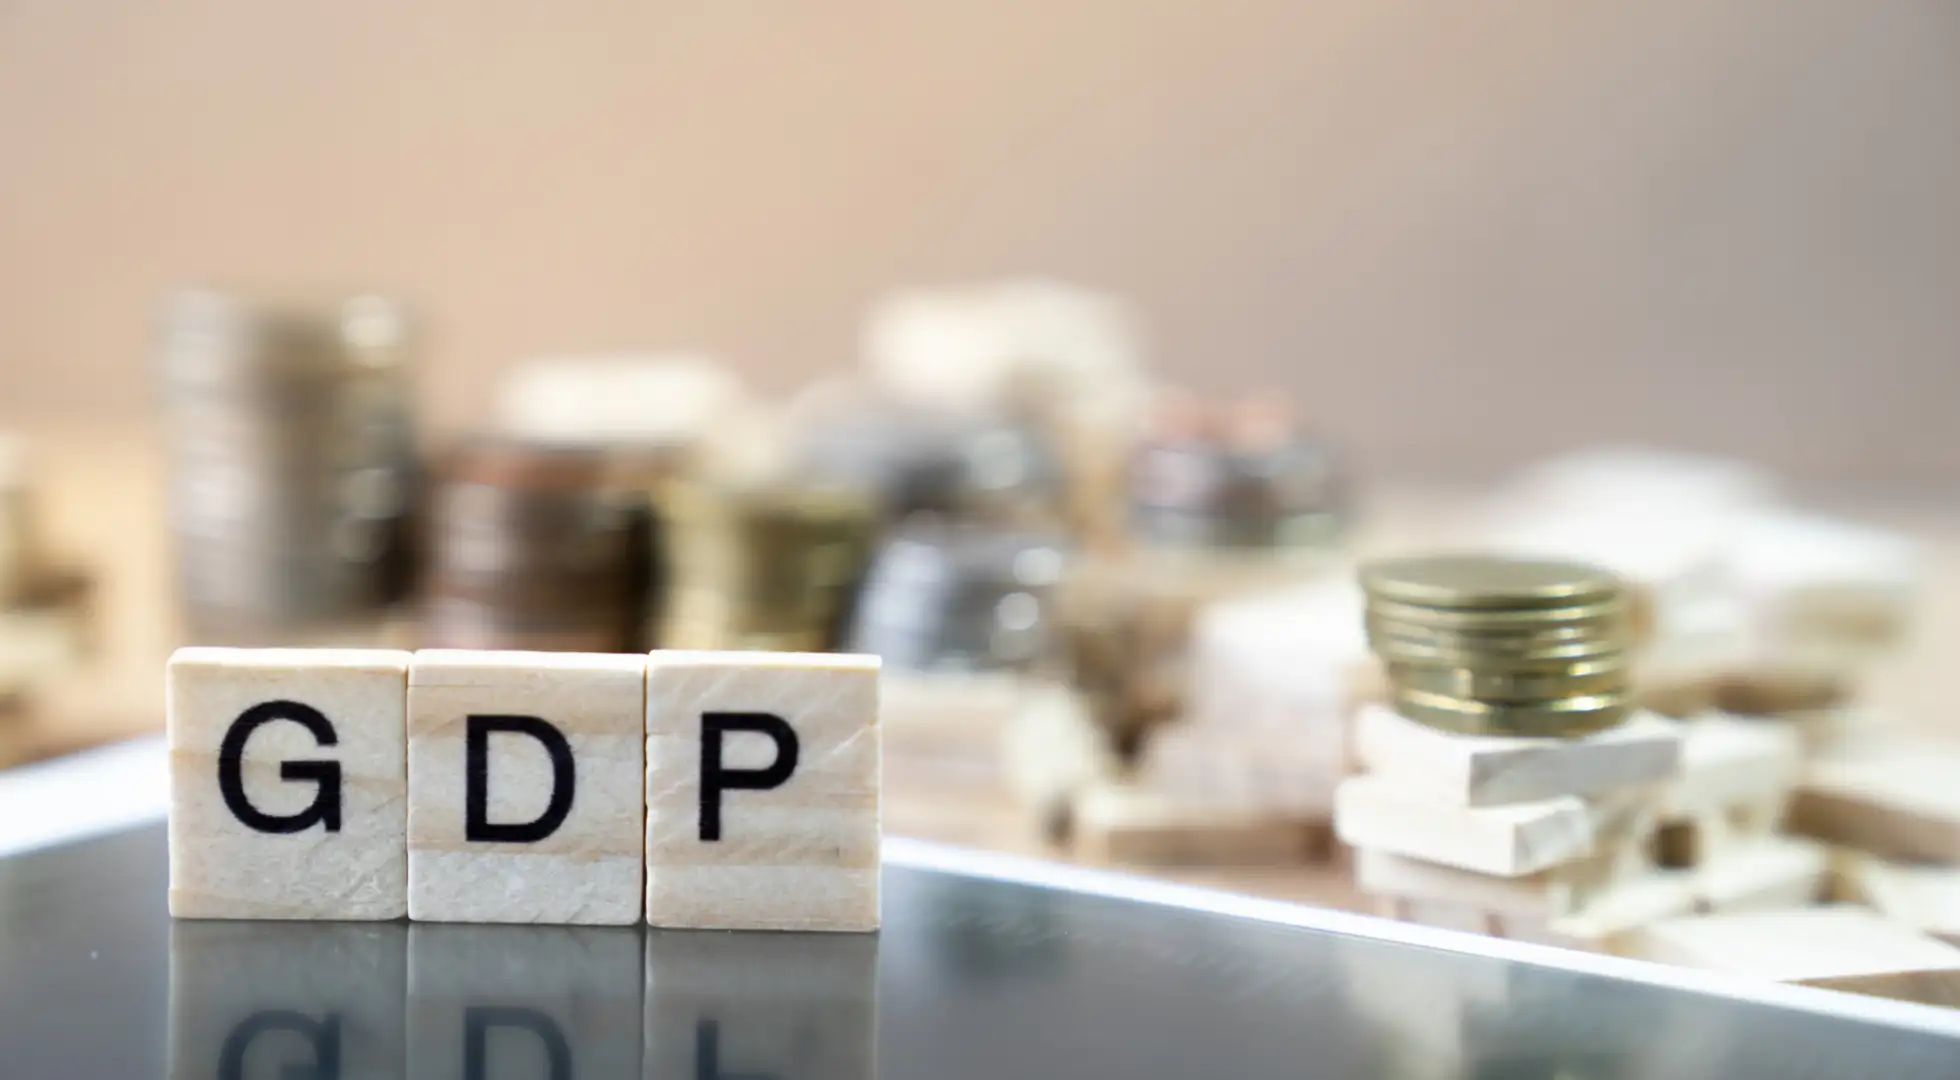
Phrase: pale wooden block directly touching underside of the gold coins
pixel 1493 771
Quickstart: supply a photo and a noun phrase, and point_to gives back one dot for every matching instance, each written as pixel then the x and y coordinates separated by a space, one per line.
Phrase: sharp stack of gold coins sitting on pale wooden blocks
pixel 1493 646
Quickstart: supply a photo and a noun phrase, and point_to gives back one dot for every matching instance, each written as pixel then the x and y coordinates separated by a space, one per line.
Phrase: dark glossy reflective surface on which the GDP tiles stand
pixel 971 979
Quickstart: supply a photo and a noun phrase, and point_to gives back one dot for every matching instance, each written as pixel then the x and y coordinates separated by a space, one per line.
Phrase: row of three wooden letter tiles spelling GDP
pixel 732 791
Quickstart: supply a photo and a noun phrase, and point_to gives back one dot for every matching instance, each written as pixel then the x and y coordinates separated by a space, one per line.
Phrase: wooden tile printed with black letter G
pixel 287 783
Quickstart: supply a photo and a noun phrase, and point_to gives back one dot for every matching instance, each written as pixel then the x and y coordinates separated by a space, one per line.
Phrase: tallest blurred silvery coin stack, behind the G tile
pixel 291 438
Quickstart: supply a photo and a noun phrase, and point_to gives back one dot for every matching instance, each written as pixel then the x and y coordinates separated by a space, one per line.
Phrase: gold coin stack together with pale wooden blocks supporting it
pixel 1508 785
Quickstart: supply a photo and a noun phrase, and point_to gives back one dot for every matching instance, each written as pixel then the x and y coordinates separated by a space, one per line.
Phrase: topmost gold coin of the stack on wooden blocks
pixel 1487 581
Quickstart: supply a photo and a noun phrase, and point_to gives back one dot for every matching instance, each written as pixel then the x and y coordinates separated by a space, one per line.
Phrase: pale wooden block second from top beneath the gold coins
pixel 1508 842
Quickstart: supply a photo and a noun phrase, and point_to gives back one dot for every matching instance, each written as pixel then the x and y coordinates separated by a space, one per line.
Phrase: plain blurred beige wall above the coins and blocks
pixel 1461 234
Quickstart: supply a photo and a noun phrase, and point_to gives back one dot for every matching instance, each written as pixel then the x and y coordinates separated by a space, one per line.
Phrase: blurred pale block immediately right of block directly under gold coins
pixel 1732 763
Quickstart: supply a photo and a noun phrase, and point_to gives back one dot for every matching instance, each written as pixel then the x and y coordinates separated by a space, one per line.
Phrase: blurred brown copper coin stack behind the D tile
pixel 538 546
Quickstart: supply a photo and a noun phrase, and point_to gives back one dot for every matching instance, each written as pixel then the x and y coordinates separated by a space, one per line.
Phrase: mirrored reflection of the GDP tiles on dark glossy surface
pixel 387 1001
